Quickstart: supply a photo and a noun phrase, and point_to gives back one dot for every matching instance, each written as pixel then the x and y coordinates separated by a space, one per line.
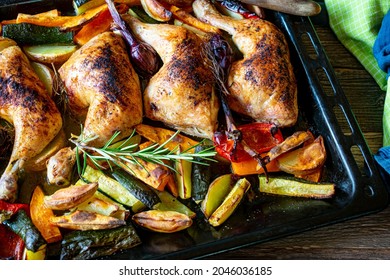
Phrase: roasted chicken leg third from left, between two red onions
pixel 181 94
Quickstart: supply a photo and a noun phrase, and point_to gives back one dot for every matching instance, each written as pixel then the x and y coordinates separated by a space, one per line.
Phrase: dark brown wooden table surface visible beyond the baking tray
pixel 367 237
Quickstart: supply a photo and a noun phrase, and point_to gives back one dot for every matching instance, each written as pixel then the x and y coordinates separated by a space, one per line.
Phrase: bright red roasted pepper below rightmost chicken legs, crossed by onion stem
pixel 261 137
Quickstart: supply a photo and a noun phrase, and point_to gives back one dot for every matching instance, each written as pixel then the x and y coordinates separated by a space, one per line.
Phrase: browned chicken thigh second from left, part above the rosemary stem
pixel 103 87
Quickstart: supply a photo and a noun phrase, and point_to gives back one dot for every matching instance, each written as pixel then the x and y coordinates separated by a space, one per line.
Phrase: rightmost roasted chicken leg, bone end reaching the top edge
pixel 262 85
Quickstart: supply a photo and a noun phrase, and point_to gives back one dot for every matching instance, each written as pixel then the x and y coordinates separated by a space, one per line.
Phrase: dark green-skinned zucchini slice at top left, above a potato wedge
pixel 30 34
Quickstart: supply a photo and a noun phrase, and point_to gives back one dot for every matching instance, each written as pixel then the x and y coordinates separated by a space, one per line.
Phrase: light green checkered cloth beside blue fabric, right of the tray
pixel 356 24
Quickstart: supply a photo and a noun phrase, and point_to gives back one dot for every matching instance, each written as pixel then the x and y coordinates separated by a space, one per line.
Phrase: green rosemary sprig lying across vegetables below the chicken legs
pixel 128 152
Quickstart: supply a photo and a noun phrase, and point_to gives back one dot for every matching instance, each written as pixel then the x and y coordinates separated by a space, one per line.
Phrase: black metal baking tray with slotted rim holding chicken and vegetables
pixel 360 191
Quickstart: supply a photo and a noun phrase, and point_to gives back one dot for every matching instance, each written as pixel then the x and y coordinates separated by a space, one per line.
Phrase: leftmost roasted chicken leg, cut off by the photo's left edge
pixel 24 103
